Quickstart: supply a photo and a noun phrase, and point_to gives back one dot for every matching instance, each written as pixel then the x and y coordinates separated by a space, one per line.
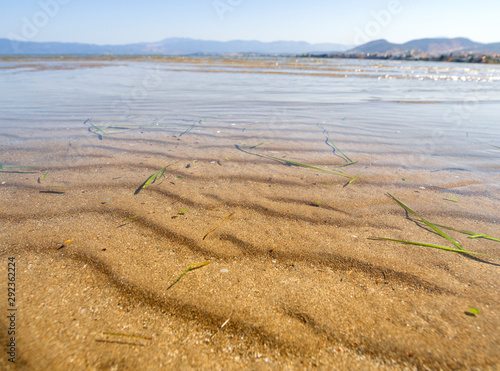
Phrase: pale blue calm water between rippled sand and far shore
pixel 449 103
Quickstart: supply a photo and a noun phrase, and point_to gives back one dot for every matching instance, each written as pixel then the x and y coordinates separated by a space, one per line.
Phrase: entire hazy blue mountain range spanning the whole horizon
pixel 185 46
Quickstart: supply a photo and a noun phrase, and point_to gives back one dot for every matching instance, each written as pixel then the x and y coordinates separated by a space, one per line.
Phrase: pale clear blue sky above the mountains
pixel 315 21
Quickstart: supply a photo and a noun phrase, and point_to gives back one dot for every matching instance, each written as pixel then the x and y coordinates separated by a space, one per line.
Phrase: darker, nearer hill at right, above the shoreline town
pixel 433 47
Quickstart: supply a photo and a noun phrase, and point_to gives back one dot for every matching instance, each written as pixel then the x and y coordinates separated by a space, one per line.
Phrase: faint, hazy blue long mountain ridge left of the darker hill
pixel 170 46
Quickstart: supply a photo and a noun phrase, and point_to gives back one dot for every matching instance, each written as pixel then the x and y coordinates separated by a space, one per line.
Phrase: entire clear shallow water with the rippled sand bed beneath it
pixel 295 271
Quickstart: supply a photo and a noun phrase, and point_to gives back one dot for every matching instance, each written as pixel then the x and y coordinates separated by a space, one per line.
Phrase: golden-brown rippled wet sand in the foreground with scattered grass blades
pixel 294 280
